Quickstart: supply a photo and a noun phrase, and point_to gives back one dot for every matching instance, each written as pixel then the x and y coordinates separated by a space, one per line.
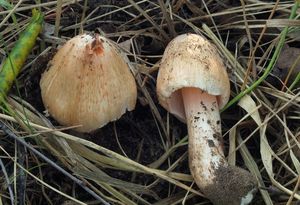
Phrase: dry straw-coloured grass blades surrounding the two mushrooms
pixel 261 130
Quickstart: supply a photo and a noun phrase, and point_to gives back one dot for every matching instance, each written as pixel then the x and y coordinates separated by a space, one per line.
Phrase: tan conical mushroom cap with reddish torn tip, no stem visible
pixel 88 83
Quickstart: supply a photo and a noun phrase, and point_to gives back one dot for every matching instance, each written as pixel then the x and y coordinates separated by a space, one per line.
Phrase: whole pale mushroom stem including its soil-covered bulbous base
pixel 222 183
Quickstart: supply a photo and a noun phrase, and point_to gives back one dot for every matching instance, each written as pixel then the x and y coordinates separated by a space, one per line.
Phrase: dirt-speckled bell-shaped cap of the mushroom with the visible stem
pixel 191 61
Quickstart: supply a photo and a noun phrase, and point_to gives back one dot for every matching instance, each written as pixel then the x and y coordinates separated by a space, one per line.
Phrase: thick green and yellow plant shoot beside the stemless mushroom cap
pixel 18 55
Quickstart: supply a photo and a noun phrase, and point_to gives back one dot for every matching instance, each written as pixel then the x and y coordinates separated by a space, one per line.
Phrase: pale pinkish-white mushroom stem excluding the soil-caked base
pixel 204 128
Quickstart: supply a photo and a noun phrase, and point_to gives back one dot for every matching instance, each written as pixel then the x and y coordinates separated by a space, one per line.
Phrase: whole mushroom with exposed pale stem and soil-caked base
pixel 193 85
